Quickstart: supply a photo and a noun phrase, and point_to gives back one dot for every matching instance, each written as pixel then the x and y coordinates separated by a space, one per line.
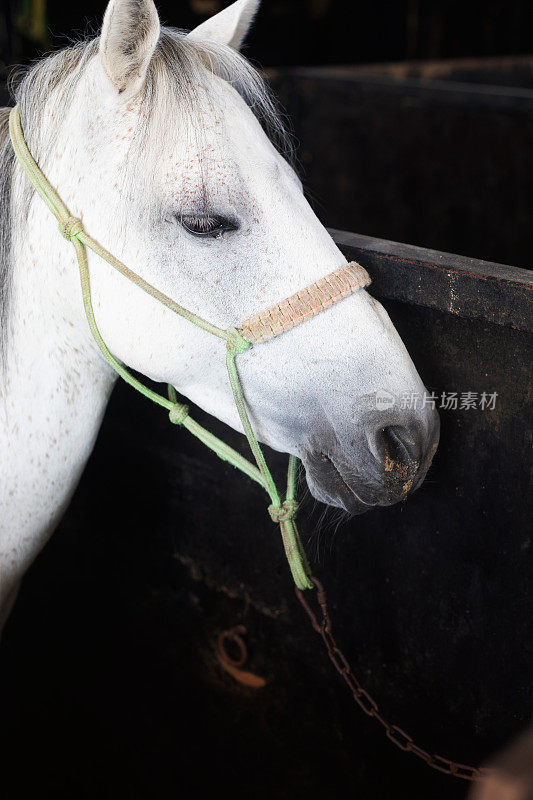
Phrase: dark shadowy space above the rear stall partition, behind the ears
pixel 315 31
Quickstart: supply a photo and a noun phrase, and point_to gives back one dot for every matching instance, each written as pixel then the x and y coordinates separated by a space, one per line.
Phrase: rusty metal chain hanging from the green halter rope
pixel 398 736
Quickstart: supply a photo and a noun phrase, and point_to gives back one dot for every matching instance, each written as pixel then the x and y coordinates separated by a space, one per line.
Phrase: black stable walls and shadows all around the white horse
pixel 110 685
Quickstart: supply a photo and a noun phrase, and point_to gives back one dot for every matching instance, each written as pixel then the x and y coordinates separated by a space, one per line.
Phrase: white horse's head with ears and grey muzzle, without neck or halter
pixel 166 149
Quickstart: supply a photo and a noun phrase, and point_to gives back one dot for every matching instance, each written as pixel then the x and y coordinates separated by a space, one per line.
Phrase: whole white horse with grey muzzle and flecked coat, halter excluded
pixel 153 137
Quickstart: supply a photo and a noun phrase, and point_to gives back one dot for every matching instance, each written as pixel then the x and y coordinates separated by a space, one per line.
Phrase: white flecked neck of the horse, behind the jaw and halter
pixel 55 389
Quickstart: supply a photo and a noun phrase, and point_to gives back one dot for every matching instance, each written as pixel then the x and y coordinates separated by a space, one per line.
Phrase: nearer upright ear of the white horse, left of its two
pixel 129 36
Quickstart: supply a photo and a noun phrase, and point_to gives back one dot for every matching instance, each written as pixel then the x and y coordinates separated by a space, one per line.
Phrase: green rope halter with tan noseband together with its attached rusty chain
pixel 262 327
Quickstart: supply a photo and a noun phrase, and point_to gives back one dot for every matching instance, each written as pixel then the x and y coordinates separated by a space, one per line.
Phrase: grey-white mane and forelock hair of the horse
pixel 178 67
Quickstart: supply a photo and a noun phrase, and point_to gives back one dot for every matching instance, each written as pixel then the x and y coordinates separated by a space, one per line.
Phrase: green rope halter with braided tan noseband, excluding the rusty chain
pixel 285 315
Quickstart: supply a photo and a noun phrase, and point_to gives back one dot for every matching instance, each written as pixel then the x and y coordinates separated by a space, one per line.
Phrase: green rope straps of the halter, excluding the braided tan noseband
pixel 282 511
